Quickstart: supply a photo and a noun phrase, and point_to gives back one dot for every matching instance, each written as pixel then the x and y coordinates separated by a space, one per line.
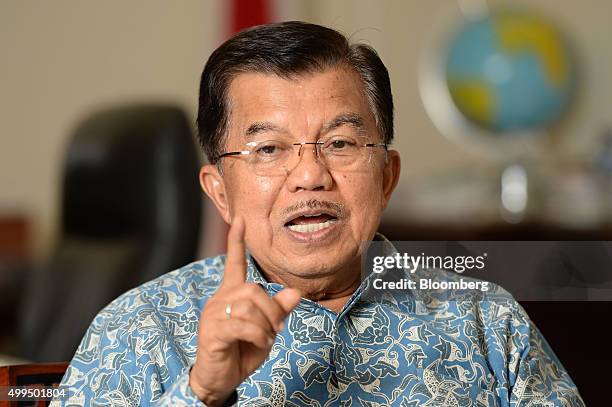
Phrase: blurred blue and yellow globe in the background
pixel 509 72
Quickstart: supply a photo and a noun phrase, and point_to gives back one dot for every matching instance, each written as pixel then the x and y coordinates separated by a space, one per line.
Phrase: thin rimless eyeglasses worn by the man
pixel 275 157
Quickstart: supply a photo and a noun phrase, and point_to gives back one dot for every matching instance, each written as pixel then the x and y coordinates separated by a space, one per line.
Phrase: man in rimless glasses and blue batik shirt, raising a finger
pixel 296 124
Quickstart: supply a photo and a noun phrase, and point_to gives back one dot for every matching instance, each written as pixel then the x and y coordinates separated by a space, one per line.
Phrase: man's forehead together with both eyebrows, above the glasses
pixel 312 105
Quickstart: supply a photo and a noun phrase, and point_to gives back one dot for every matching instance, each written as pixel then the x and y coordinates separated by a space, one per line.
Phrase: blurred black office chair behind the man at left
pixel 131 210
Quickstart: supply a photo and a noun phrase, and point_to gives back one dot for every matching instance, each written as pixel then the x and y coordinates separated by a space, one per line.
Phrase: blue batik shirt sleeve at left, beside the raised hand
pixel 124 359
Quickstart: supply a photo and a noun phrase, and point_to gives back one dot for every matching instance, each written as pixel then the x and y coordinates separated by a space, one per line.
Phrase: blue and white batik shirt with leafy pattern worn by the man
pixel 391 350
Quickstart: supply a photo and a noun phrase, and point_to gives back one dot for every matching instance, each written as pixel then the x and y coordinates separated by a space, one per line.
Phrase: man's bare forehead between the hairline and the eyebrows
pixel 303 103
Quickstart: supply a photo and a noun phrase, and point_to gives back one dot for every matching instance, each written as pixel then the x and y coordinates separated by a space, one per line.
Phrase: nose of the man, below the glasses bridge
pixel 309 174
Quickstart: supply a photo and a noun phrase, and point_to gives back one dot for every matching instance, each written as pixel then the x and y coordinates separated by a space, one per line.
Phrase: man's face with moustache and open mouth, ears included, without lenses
pixel 344 205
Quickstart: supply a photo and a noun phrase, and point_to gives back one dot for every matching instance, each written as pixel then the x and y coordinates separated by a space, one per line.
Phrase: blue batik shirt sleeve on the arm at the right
pixel 539 377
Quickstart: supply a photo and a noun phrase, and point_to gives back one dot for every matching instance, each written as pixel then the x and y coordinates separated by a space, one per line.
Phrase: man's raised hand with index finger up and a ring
pixel 237 328
